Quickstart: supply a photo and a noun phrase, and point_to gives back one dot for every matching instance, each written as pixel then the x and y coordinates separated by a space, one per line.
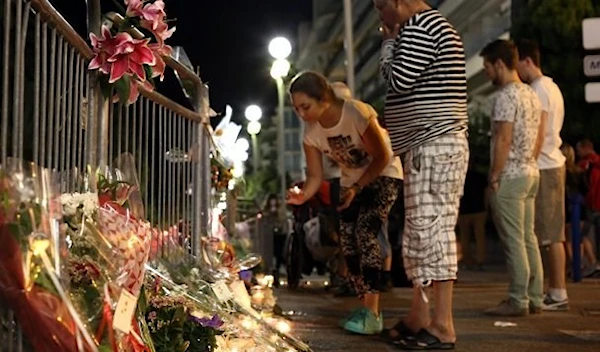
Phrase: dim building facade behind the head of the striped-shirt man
pixel 322 42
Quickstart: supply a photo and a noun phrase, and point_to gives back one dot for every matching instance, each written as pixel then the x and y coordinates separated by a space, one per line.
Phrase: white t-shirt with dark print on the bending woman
pixel 343 142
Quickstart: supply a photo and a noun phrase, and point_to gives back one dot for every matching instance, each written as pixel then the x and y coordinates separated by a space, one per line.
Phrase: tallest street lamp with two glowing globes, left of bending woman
pixel 280 49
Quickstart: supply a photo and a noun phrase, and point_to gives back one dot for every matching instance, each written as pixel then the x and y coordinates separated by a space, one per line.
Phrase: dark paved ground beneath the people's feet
pixel 316 314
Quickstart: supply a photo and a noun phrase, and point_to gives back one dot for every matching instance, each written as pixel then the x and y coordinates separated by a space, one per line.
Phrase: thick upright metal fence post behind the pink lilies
pixel 97 114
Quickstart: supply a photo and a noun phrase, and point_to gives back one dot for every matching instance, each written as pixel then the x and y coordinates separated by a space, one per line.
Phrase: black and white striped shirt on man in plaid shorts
pixel 424 68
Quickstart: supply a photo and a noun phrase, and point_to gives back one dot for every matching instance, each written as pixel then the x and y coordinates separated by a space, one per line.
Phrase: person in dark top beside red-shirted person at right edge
pixel 576 186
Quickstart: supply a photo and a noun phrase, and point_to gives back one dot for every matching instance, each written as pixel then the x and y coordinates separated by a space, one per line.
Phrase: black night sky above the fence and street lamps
pixel 227 39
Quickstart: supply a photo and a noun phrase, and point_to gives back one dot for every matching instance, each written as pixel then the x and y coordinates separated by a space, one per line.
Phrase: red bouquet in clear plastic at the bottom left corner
pixel 30 261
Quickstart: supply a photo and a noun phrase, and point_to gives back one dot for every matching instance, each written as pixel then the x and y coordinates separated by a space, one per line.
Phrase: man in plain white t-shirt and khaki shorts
pixel 550 200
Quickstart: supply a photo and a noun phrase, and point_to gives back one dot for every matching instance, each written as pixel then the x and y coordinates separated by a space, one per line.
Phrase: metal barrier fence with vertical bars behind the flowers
pixel 53 114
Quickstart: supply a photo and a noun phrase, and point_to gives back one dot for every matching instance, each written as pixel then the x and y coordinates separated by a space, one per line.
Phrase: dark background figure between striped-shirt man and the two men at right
pixel 472 218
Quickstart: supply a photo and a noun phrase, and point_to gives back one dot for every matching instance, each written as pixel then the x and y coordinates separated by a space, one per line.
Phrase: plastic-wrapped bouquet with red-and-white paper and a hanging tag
pixel 108 250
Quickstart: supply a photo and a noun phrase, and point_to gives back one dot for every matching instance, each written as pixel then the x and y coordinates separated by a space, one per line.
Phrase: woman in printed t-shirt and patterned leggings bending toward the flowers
pixel 348 132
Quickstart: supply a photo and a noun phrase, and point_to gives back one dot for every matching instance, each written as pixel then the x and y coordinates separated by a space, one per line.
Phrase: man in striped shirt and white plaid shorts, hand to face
pixel 423 64
